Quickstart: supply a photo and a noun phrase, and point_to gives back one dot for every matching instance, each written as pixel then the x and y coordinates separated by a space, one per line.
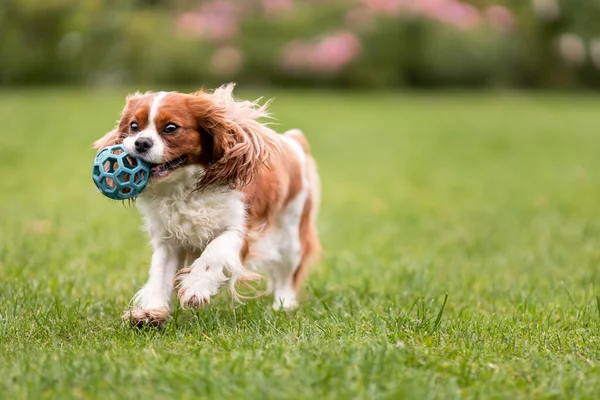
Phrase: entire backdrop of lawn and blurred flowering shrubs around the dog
pixel 485 195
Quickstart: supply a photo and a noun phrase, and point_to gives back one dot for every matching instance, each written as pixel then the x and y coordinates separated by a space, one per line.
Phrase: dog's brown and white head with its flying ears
pixel 221 135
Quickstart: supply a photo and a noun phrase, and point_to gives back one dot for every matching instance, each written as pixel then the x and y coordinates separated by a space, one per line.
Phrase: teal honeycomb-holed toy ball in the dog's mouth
pixel 119 175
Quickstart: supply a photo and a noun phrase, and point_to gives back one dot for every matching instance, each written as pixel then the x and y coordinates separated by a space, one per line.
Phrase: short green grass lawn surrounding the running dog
pixel 493 201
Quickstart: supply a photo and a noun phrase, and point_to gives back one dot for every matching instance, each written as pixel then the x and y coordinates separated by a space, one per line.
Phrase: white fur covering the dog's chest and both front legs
pixel 181 221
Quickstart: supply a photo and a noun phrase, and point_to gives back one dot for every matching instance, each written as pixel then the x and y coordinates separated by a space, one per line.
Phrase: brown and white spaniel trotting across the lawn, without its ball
pixel 228 201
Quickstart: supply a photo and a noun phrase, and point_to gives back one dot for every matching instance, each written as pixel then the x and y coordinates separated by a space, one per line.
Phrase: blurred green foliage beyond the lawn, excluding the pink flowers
pixel 104 42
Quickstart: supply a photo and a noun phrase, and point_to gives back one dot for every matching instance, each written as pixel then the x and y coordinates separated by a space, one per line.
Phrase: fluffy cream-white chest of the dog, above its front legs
pixel 192 220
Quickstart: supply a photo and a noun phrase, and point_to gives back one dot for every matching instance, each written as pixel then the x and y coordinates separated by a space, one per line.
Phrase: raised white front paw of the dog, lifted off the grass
pixel 194 291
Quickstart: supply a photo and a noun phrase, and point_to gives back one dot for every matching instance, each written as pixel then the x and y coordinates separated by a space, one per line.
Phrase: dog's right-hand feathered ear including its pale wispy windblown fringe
pixel 241 144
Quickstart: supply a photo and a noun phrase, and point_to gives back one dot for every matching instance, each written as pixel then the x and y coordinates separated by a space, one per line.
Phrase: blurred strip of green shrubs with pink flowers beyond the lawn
pixel 334 43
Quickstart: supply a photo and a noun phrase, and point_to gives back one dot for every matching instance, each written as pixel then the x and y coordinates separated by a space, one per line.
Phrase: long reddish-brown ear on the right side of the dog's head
pixel 238 148
